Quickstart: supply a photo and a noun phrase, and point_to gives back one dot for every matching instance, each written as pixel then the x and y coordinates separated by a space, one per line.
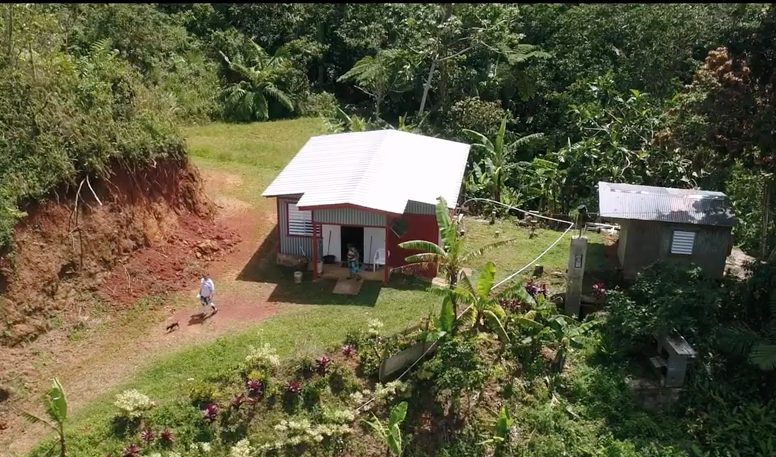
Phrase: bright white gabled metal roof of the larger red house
pixel 380 170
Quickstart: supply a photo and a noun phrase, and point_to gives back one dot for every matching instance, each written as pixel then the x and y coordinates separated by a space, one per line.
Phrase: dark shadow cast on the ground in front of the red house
pixel 262 268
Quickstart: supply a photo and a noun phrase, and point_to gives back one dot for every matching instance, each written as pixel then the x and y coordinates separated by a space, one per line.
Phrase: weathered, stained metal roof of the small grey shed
pixel 648 203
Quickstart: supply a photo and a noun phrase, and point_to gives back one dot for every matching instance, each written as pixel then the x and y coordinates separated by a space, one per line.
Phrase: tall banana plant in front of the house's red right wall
pixel 450 256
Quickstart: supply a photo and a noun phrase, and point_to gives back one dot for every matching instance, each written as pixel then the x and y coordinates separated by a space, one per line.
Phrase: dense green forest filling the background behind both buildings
pixel 653 94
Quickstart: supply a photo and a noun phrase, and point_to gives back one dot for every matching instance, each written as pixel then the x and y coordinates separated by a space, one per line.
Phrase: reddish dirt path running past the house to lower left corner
pixel 124 345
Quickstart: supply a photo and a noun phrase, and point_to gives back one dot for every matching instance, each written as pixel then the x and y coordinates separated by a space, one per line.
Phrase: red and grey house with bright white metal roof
pixel 371 189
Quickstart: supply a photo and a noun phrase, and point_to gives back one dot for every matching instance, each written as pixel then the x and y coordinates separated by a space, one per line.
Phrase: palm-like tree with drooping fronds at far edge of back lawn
pixel 266 78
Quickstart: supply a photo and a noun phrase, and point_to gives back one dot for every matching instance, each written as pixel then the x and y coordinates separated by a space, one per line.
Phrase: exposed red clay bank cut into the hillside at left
pixel 148 233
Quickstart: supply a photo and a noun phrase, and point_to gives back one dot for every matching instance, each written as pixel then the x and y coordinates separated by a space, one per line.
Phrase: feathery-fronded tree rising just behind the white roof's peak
pixel 389 71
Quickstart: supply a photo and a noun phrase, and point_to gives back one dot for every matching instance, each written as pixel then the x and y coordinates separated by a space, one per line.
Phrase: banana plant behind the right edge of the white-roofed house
pixel 495 164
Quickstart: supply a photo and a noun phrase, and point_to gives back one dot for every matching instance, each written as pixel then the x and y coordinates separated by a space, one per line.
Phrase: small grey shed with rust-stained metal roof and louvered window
pixel 661 223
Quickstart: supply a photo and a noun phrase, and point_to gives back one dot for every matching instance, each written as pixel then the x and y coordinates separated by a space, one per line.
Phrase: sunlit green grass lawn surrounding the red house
pixel 256 153
